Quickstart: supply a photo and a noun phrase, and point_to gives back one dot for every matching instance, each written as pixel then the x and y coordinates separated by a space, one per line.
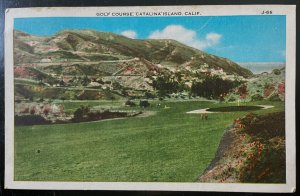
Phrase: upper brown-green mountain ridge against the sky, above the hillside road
pixel 88 45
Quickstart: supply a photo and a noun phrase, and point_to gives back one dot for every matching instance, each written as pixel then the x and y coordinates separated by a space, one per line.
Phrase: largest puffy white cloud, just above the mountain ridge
pixel 187 36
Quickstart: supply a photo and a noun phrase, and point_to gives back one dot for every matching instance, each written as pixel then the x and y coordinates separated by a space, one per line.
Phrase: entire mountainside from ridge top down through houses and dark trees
pixel 103 60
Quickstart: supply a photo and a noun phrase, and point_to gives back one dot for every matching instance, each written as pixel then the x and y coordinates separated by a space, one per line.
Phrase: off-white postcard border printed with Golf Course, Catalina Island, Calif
pixel 213 10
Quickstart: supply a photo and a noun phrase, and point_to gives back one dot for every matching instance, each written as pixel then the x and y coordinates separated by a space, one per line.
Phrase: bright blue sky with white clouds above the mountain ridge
pixel 239 38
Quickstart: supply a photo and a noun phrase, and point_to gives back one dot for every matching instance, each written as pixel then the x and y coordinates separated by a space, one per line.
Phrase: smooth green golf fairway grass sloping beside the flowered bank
pixel 171 146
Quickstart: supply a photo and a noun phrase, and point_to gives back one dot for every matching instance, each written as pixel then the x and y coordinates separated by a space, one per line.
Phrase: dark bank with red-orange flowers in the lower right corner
pixel 251 151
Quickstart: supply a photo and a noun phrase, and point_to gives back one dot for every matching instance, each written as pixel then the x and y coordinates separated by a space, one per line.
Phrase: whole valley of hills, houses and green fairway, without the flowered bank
pixel 97 106
